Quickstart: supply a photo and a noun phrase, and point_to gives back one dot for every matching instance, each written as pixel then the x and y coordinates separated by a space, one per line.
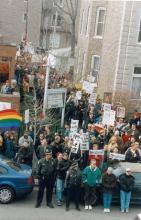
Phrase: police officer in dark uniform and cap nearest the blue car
pixel 46 175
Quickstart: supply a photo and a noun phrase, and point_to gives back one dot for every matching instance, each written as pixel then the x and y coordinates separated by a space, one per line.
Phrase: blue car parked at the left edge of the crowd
pixel 15 180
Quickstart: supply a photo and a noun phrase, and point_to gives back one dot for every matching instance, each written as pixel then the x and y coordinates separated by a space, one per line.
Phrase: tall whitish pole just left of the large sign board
pixel 46 89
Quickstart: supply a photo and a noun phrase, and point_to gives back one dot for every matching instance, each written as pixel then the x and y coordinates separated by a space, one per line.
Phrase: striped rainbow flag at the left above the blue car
pixel 10 119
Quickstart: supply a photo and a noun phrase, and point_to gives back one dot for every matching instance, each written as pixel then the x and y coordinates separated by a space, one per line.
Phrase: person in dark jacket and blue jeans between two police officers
pixel 62 168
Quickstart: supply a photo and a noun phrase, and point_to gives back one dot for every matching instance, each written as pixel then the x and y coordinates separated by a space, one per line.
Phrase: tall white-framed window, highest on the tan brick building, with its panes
pixel 100 21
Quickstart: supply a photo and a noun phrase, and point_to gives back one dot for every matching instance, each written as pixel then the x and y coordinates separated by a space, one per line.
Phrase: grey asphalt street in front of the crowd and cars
pixel 23 209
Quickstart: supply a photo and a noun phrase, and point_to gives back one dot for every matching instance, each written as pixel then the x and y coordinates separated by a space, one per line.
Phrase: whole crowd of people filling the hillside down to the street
pixel 69 172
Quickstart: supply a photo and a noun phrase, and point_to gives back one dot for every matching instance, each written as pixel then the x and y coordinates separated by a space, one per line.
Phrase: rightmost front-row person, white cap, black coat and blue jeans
pixel 126 182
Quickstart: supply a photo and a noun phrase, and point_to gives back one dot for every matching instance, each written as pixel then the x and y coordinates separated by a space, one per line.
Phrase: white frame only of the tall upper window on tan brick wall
pixel 96 23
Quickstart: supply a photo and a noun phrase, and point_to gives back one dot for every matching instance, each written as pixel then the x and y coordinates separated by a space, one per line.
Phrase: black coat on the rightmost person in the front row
pixel 126 182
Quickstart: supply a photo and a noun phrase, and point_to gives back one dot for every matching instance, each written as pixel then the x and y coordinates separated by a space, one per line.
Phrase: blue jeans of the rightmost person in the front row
pixel 124 199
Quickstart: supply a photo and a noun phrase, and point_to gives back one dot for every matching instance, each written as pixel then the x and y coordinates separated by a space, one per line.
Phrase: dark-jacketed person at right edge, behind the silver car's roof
pixel 133 154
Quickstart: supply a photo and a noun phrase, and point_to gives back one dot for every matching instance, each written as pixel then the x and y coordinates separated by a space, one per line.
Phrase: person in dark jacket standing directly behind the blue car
pixel 25 154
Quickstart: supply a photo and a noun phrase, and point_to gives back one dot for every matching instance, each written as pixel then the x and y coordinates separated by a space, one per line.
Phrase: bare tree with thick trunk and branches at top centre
pixel 70 9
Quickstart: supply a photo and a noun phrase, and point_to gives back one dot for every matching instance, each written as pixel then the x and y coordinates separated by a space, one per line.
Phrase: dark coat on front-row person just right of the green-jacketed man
pixel 109 182
